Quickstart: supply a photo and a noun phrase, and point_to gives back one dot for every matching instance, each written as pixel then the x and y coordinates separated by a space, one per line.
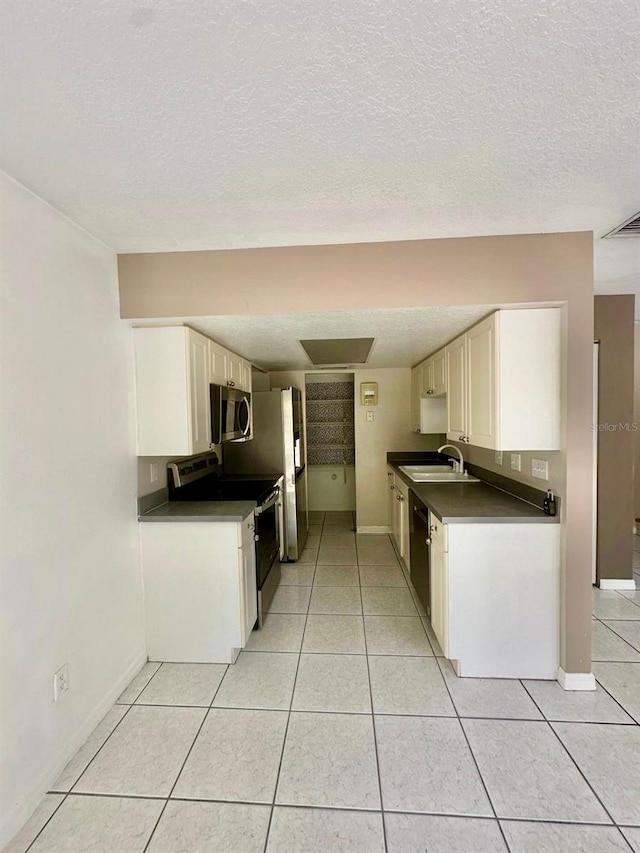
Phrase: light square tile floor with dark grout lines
pixel 343 728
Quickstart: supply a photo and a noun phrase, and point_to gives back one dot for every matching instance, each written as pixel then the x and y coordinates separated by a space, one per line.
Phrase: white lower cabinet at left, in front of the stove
pixel 200 595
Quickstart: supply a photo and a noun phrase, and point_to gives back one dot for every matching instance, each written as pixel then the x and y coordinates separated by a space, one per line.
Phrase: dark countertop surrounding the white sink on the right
pixel 470 503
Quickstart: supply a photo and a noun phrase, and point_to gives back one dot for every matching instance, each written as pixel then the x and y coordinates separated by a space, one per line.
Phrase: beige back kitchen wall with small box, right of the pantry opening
pixel 390 430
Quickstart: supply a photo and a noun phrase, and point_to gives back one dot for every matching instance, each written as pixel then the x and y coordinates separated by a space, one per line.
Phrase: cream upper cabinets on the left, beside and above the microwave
pixel 174 367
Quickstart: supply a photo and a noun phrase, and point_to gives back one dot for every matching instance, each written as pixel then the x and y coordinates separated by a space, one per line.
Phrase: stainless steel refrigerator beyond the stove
pixel 277 447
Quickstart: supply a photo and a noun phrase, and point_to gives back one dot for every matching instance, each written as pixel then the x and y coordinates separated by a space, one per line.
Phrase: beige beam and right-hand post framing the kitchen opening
pixel 463 271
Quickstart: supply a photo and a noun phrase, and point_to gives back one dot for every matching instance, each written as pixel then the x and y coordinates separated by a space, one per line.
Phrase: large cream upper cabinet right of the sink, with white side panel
pixel 504 382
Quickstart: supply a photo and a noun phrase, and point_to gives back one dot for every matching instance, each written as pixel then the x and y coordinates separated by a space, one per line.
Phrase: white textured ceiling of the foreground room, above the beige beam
pixel 180 124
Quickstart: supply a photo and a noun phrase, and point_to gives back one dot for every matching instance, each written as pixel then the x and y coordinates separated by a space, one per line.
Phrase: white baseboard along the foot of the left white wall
pixel 15 818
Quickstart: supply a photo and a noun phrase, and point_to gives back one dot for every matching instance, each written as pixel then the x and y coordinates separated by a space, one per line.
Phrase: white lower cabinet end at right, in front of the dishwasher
pixel 495 598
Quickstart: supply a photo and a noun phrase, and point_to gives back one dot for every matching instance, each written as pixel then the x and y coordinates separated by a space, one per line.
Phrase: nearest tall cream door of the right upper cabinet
pixel 481 385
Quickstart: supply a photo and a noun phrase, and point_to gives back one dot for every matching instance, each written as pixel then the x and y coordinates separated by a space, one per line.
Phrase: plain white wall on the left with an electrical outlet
pixel 71 583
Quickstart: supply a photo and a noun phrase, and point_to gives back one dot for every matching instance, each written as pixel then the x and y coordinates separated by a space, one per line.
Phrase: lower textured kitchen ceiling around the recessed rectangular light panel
pixel 403 336
